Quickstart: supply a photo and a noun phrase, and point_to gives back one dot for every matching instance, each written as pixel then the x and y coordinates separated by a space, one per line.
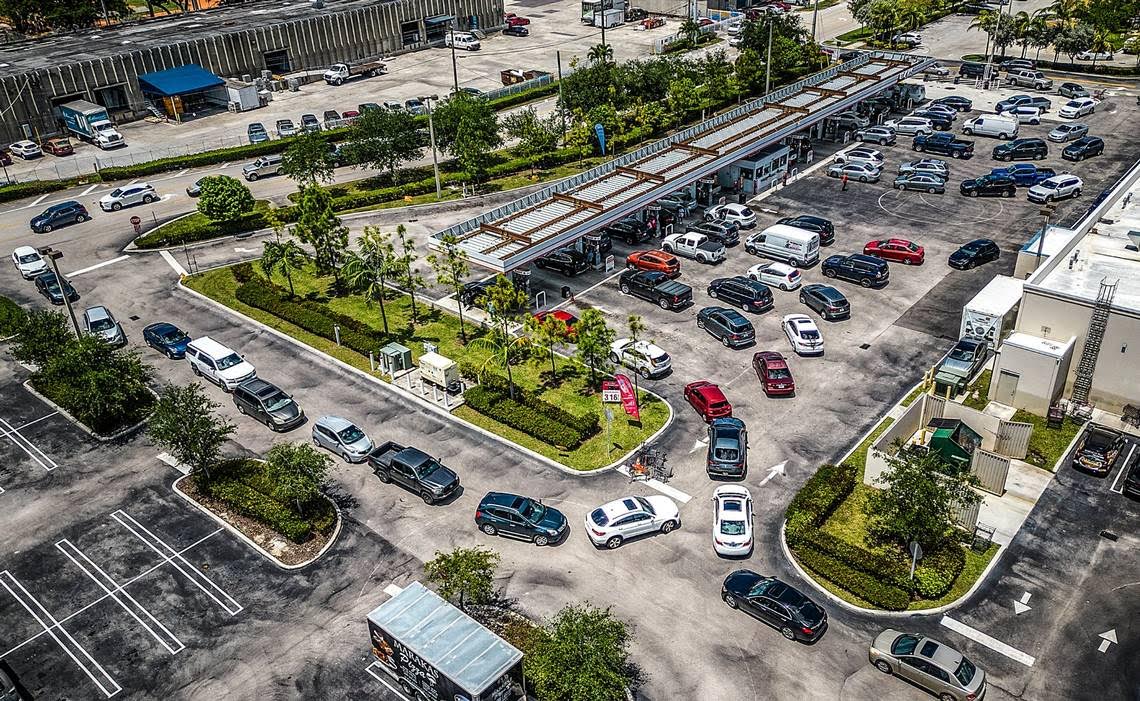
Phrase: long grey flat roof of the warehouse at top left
pixel 96 44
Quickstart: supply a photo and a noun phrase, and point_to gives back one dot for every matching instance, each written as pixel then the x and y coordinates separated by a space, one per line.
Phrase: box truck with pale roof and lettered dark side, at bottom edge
pixel 436 653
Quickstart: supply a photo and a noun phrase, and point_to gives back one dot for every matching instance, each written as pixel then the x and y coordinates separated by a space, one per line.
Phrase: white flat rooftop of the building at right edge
pixel 1105 254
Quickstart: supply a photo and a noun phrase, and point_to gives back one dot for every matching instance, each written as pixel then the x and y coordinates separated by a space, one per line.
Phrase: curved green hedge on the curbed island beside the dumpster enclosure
pixel 877 578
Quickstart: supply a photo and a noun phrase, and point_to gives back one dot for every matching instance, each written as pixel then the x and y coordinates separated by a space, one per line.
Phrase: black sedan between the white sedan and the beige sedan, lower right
pixel 779 605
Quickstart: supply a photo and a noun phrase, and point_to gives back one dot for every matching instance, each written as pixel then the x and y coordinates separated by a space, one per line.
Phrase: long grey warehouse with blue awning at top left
pixel 282 37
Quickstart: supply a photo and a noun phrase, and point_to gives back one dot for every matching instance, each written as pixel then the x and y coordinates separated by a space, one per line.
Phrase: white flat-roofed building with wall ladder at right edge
pixel 1078 331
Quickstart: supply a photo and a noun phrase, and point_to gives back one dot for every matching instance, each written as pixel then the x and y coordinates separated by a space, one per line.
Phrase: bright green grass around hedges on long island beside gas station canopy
pixel 443 330
